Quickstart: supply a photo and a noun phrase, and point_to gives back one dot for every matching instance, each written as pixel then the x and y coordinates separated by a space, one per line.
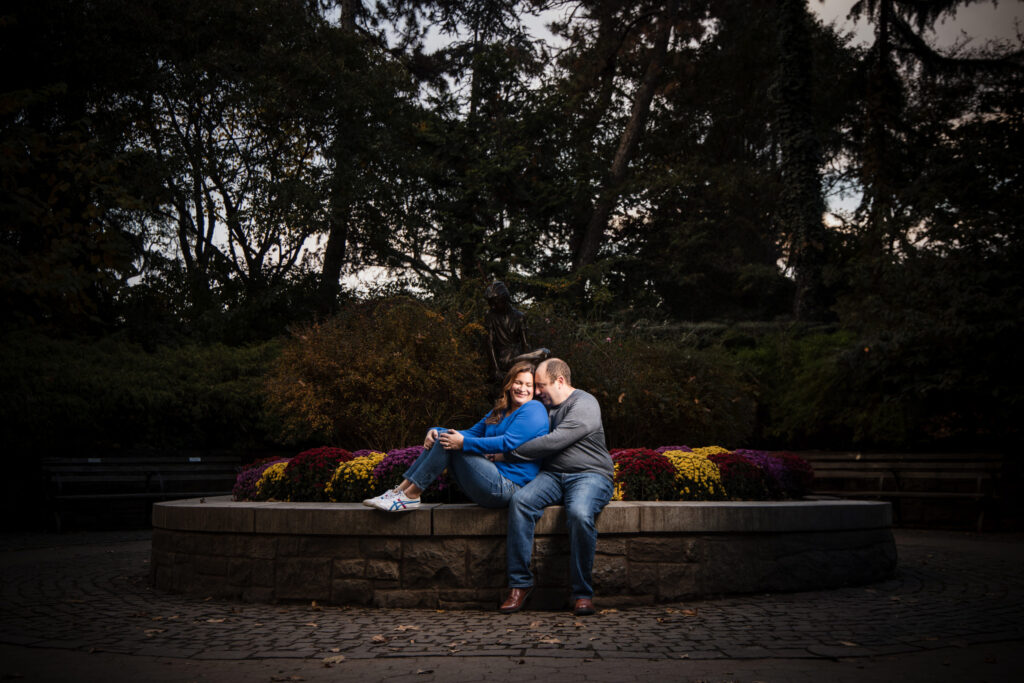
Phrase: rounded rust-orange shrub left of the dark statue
pixel 380 375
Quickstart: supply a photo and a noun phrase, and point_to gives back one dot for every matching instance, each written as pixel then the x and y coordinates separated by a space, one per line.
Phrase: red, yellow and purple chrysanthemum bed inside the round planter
pixel 666 474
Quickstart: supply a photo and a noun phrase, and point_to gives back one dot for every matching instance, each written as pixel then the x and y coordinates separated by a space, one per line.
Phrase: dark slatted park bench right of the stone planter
pixel 943 489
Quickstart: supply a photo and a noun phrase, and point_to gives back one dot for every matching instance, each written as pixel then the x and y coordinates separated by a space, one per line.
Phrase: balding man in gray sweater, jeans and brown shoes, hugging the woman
pixel 578 473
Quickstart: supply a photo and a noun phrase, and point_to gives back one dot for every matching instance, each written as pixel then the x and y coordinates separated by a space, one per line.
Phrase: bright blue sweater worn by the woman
pixel 529 421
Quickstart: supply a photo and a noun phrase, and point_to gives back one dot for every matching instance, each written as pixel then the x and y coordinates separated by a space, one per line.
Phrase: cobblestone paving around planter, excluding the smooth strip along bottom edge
pixel 91 594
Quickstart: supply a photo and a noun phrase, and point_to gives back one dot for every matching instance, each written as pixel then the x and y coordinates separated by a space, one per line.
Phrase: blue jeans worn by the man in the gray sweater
pixel 585 495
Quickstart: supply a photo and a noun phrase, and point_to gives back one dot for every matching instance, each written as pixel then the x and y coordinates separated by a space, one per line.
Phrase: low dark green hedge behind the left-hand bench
pixel 97 396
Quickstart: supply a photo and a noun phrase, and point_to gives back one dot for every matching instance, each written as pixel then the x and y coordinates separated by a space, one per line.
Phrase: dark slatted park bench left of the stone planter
pixel 121 489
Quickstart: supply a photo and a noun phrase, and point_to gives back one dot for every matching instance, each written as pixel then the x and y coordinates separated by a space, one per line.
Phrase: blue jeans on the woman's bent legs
pixel 478 477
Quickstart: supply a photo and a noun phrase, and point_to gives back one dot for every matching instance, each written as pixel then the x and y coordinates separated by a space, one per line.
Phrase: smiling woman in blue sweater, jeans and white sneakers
pixel 515 420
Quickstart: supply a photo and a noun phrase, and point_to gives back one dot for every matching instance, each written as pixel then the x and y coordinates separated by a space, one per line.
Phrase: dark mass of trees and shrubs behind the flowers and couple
pixel 187 189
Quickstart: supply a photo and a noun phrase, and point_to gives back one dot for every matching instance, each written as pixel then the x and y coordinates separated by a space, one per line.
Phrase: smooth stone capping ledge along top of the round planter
pixel 628 518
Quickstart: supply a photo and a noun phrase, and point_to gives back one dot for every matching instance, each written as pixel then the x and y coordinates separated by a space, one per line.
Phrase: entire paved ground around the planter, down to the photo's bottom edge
pixel 81 604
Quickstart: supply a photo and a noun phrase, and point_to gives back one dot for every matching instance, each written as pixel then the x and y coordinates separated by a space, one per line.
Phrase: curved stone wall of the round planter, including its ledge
pixel 452 557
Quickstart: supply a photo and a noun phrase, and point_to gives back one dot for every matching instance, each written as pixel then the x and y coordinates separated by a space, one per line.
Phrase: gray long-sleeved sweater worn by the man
pixel 576 443
